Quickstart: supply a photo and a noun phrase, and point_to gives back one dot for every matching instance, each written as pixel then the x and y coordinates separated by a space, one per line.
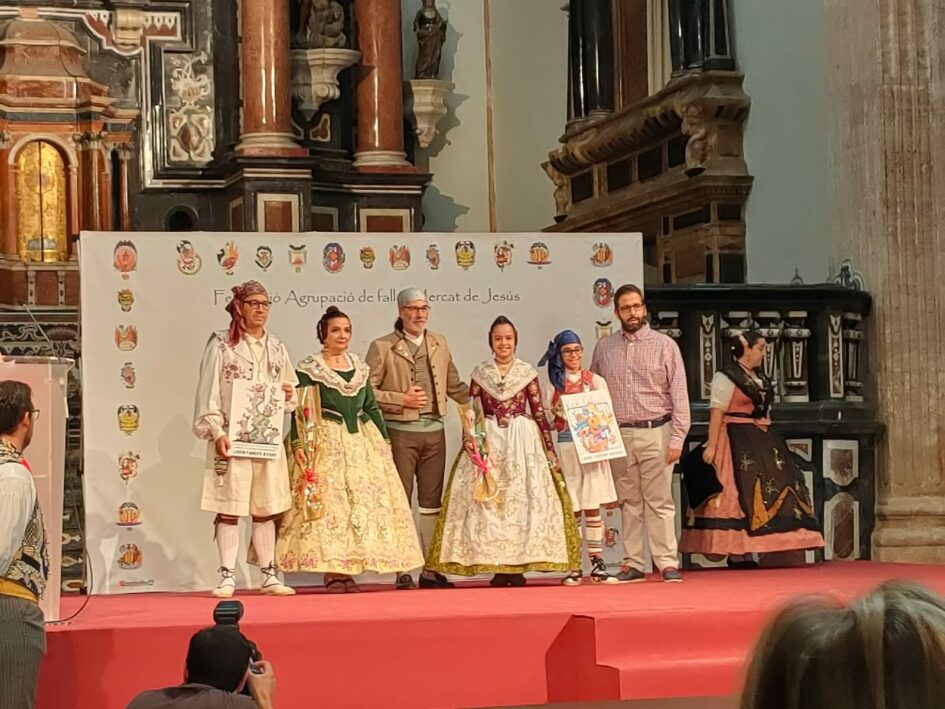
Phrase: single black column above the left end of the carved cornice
pixel 598 55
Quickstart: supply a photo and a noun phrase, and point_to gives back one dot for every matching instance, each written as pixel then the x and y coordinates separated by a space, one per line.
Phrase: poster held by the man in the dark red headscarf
pixel 257 414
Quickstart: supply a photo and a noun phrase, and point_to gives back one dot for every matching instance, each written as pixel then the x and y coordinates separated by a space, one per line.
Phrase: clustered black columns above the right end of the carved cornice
pixel 699 36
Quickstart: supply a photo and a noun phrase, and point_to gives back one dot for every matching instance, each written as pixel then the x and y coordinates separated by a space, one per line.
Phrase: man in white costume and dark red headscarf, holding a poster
pixel 237 487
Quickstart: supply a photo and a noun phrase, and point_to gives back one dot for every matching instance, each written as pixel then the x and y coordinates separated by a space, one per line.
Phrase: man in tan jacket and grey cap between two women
pixel 413 375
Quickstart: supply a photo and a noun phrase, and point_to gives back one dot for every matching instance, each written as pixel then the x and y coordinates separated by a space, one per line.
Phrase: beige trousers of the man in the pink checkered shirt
pixel 644 485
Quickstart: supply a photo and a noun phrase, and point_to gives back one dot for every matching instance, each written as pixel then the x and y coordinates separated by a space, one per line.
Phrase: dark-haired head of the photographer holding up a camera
pixel 219 656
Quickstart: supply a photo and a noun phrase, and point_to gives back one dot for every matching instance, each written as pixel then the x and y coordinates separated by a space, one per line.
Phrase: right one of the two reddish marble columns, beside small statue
pixel 380 137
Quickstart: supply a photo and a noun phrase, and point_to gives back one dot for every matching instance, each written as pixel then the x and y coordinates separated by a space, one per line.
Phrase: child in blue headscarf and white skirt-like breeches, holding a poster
pixel 590 485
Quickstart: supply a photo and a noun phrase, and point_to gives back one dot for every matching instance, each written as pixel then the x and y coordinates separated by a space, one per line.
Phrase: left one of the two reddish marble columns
pixel 266 80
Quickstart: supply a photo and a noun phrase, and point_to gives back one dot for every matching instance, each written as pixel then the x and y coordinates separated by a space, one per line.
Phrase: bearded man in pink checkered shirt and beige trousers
pixel 644 372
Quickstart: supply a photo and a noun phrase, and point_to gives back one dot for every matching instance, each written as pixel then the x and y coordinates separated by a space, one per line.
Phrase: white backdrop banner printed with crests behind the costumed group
pixel 150 301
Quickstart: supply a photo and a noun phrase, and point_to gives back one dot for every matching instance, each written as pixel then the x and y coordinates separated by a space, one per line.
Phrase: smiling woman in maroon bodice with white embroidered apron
pixel 525 522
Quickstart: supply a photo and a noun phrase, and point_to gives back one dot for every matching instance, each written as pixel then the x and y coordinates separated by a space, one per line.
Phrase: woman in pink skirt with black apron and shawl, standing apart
pixel 764 505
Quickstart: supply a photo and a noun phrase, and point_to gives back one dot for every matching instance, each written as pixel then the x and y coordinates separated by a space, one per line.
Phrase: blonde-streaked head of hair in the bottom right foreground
pixel 886 651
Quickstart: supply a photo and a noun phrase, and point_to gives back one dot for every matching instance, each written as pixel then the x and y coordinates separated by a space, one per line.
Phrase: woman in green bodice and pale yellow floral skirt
pixel 349 512
